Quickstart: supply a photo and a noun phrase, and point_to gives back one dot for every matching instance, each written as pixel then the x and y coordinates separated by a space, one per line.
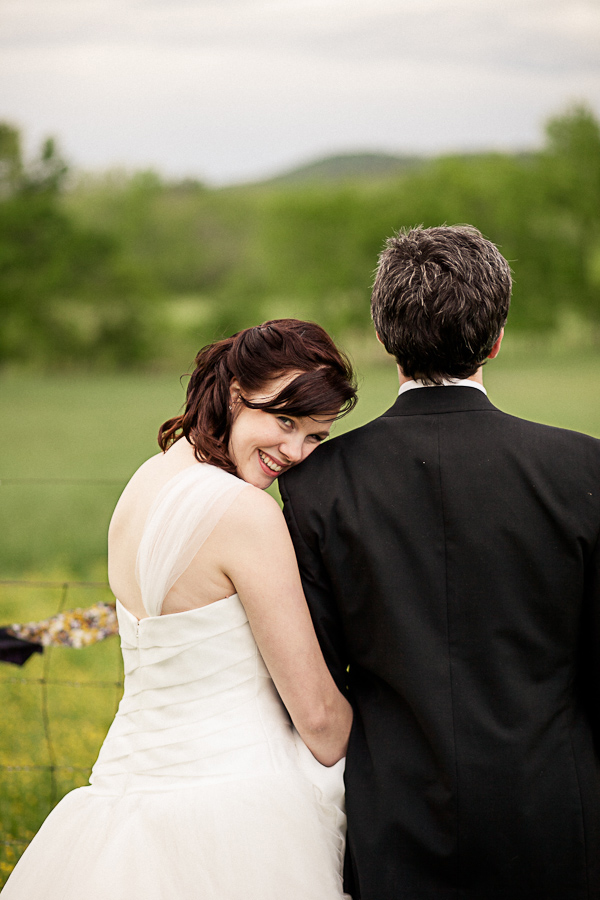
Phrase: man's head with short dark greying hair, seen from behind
pixel 440 300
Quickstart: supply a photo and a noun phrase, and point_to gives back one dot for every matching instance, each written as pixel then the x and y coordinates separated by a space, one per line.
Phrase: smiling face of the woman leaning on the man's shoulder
pixel 263 444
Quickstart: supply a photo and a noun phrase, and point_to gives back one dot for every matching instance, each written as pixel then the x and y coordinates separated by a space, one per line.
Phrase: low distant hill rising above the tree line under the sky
pixel 348 166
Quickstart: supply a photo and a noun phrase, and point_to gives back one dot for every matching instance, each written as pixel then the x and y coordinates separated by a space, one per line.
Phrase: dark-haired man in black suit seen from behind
pixel 450 555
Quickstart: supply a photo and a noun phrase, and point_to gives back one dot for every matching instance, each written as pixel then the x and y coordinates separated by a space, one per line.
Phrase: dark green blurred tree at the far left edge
pixel 63 294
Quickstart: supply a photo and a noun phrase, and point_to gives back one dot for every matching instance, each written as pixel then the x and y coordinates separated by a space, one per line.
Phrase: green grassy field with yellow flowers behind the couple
pixel 68 446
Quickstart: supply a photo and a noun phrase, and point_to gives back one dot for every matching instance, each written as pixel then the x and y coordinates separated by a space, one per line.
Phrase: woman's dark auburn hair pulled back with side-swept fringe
pixel 255 357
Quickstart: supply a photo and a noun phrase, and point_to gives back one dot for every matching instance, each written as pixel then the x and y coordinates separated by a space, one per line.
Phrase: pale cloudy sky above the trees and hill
pixel 237 90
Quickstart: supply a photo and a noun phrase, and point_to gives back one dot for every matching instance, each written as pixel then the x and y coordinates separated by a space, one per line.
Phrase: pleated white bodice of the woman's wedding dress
pixel 198 704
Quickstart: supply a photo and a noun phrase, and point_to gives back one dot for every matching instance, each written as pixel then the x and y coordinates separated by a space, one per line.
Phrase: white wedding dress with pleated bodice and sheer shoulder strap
pixel 202 789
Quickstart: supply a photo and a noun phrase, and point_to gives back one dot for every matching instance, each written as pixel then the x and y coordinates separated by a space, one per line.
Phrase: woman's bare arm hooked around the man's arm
pixel 255 551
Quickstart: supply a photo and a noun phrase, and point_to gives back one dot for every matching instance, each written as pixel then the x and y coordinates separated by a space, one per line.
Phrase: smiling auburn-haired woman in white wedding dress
pixel 221 777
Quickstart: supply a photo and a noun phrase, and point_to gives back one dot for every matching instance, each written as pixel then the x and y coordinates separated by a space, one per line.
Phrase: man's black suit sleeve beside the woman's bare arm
pixel 319 594
